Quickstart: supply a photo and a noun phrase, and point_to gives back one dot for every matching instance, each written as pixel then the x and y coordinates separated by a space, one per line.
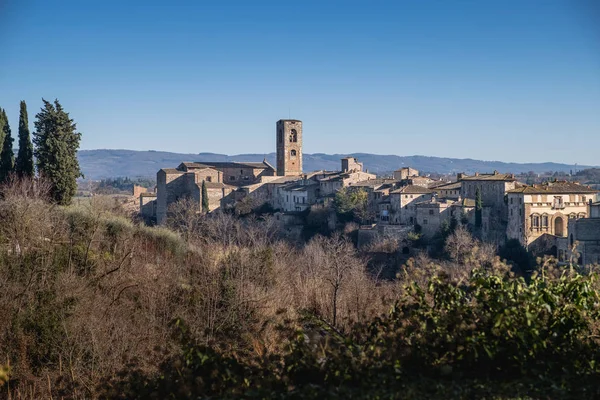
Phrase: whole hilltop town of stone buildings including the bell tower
pixel 547 218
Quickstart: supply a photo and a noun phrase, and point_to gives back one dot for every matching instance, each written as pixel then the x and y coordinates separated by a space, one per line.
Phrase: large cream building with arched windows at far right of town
pixel 545 209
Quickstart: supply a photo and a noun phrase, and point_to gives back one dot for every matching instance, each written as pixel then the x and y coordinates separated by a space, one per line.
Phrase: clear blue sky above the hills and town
pixel 509 80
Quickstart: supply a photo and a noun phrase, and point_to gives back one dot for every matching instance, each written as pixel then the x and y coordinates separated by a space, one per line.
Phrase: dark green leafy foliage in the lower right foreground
pixel 492 337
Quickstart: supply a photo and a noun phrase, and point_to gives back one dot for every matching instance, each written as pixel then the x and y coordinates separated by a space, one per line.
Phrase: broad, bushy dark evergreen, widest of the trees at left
pixel 57 141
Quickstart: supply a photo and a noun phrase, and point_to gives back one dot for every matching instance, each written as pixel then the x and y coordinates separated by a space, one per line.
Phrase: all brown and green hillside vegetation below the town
pixel 95 305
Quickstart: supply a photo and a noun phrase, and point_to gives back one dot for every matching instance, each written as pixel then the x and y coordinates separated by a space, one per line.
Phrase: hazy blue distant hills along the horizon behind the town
pixel 98 164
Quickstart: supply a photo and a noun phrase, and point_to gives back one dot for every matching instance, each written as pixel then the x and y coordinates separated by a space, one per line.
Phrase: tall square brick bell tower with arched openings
pixel 289 147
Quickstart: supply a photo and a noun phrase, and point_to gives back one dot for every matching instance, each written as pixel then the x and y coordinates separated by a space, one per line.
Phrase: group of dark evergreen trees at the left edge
pixel 54 157
